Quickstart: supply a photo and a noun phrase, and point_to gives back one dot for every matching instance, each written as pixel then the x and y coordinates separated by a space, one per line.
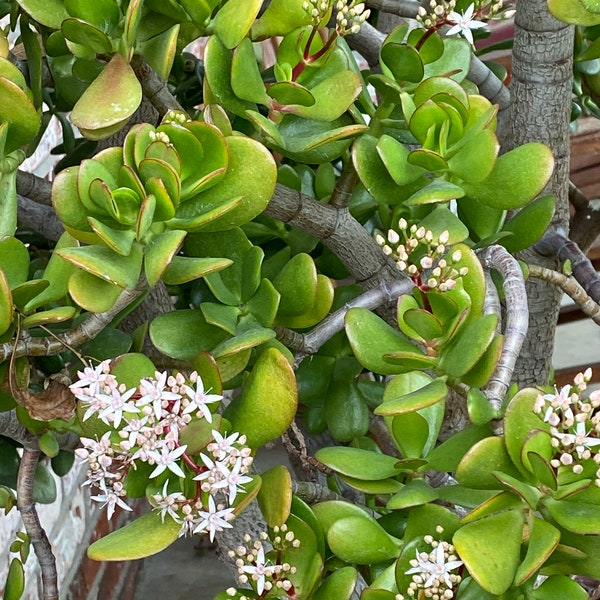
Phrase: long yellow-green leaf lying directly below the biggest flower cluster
pixel 143 537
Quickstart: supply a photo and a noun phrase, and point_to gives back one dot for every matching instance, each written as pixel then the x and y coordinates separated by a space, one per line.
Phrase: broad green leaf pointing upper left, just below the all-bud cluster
pixel 371 337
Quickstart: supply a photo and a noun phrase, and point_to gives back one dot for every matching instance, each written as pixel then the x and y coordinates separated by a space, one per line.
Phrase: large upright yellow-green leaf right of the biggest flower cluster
pixel 268 402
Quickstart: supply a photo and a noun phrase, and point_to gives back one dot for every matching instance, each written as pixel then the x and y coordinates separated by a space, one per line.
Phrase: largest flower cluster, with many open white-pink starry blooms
pixel 144 426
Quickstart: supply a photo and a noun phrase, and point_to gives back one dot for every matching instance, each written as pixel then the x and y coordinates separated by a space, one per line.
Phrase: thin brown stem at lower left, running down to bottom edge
pixel 33 527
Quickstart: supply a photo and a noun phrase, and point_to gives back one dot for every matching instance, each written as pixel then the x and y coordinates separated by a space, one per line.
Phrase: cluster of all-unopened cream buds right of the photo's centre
pixel 419 254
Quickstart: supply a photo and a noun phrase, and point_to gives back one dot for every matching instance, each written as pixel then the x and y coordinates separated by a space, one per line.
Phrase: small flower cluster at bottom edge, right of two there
pixel 432 571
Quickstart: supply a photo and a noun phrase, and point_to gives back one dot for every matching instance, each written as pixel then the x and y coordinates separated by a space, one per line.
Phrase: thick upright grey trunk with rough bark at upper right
pixel 541 101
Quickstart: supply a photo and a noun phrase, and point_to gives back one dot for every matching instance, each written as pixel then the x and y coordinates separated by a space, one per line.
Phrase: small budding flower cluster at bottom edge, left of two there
pixel 263 574
